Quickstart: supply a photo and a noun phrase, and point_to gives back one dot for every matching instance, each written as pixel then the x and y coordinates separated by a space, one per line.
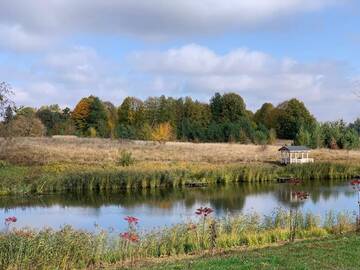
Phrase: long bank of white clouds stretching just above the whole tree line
pixel 66 76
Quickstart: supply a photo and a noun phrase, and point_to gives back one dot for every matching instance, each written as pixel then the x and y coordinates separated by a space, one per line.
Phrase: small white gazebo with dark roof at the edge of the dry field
pixel 295 154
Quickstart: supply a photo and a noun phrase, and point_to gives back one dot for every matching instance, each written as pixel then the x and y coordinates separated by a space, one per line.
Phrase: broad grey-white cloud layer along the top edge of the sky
pixel 38 22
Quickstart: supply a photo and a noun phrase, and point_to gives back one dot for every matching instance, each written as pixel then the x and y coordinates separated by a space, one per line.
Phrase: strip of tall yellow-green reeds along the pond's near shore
pixel 72 249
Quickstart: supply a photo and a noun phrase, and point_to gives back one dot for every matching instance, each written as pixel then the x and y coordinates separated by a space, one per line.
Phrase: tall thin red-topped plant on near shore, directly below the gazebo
pixel 295 198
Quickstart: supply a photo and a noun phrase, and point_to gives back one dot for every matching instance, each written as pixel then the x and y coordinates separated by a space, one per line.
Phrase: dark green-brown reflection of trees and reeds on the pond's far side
pixel 229 197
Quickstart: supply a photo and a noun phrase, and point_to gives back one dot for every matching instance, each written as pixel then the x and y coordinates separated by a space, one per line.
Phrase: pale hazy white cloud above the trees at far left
pixel 67 76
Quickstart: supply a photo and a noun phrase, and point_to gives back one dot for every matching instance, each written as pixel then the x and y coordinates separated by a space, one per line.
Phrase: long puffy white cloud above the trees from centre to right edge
pixel 257 76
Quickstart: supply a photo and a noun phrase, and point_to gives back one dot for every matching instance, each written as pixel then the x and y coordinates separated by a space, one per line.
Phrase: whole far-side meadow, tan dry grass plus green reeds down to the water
pixel 43 165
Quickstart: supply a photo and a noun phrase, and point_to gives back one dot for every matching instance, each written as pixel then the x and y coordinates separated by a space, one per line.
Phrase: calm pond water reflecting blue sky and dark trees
pixel 162 207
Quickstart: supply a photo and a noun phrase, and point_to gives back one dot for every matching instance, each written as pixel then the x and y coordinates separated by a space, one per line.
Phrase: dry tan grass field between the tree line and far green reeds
pixel 104 151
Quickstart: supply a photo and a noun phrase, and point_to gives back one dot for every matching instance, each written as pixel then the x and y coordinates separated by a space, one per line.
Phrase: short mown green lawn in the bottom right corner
pixel 339 252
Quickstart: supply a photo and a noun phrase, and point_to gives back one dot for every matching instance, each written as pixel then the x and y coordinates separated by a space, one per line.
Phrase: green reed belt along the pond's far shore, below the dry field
pixel 80 178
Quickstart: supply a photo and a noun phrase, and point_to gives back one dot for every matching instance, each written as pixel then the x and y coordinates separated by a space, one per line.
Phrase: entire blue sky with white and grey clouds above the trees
pixel 57 51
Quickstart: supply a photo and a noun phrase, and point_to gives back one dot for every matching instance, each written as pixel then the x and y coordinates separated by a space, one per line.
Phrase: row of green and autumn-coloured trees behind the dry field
pixel 224 118
